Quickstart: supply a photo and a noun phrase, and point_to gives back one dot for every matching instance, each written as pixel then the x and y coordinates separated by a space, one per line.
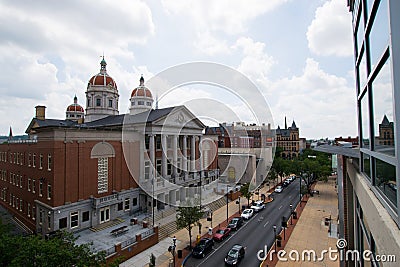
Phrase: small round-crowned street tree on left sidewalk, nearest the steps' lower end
pixel 187 217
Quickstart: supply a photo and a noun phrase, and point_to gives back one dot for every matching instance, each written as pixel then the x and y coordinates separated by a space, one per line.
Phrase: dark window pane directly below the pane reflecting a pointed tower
pixel 385 180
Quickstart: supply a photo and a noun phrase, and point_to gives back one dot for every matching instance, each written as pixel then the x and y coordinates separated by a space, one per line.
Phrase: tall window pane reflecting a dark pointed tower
pixel 383 110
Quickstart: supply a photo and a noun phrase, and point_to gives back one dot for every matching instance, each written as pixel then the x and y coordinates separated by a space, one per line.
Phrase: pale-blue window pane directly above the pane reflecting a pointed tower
pixel 379 35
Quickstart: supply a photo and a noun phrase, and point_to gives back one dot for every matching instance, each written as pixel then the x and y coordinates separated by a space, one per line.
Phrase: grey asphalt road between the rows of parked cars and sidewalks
pixel 256 232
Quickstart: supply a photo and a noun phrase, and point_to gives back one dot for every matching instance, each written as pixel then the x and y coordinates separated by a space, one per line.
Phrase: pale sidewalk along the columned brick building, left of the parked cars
pixel 160 250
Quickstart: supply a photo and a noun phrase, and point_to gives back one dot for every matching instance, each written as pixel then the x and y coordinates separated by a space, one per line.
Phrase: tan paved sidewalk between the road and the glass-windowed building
pixel 310 232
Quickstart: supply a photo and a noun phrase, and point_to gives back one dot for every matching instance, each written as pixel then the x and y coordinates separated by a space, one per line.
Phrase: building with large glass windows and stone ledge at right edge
pixel 368 178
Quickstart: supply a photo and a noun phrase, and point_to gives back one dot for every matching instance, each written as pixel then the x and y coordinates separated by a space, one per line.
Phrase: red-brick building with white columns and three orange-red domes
pixel 91 168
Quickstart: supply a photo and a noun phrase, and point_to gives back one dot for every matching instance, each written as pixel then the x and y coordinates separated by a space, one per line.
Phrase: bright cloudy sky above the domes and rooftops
pixel 298 54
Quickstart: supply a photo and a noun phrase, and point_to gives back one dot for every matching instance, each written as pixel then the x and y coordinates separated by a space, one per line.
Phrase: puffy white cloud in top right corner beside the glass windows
pixel 330 32
